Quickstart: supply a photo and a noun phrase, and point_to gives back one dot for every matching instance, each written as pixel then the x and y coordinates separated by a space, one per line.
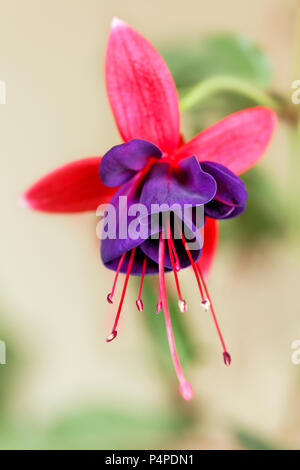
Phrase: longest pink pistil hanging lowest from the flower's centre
pixel 185 387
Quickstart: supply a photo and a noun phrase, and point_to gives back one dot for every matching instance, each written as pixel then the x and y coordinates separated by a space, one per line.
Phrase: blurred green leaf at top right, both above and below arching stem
pixel 213 56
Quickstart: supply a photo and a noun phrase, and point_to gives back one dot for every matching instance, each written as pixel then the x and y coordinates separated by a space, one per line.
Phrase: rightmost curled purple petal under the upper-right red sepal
pixel 231 196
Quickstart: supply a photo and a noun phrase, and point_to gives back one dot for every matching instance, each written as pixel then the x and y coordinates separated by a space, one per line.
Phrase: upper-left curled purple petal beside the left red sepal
pixel 122 162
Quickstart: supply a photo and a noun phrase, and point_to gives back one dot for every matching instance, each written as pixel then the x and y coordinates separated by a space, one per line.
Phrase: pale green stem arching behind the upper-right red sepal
pixel 218 84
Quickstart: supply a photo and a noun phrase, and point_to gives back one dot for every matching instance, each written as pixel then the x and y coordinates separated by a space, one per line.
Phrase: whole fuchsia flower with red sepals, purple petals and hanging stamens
pixel 154 165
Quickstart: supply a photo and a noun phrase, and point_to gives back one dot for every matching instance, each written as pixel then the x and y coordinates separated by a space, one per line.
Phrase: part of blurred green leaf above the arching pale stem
pixel 221 54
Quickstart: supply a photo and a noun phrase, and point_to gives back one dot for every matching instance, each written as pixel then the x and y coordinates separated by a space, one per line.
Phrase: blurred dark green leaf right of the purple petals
pixel 264 216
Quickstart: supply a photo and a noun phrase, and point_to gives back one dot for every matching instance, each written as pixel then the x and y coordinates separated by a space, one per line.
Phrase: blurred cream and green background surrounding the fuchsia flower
pixel 63 386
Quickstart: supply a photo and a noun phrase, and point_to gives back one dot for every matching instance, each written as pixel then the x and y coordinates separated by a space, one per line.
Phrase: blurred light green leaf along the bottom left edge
pixel 95 428
